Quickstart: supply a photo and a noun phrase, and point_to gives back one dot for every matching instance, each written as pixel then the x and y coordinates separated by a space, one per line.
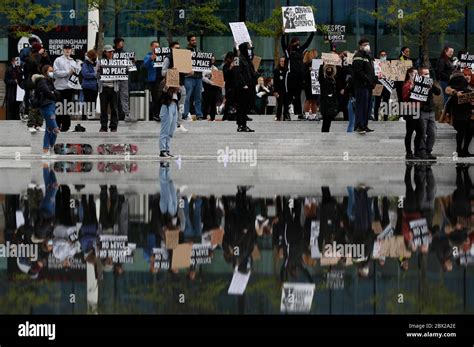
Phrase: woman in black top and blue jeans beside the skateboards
pixel 45 98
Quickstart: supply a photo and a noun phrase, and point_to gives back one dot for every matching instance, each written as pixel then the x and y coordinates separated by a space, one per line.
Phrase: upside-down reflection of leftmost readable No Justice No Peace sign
pixel 115 247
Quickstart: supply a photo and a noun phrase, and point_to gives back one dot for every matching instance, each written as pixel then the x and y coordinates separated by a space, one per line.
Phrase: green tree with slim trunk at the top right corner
pixel 422 18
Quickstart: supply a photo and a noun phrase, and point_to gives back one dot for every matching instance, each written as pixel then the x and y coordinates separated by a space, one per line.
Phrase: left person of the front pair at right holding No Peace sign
pixel 412 123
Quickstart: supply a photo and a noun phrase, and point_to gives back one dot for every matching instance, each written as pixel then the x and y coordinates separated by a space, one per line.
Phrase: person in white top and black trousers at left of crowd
pixel 64 68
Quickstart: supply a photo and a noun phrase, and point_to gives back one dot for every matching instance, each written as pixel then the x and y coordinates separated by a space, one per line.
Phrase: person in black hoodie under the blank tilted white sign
pixel 244 81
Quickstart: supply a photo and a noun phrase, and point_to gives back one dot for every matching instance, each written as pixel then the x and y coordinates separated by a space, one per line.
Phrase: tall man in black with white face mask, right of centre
pixel 364 82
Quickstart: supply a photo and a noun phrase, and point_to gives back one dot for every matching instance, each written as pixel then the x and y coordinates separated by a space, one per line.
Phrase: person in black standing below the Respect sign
pixel 329 103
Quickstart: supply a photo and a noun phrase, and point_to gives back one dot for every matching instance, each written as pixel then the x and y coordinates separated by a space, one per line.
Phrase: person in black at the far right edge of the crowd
pixel 461 113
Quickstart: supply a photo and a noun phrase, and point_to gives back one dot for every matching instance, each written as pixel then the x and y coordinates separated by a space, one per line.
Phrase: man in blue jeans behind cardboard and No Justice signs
pixel 193 84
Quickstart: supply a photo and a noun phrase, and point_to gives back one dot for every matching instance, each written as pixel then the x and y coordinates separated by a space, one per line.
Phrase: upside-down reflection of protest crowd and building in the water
pixel 420 244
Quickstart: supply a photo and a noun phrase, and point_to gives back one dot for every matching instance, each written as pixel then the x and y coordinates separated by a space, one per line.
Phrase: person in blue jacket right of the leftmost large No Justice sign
pixel 153 78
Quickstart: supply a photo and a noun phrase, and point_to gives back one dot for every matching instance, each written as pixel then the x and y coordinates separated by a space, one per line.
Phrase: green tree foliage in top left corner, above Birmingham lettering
pixel 25 16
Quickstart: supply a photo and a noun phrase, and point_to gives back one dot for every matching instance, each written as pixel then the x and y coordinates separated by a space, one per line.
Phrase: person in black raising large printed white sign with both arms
pixel 294 82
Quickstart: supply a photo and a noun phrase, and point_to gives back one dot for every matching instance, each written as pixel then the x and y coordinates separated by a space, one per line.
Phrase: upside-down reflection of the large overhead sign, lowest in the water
pixel 297 297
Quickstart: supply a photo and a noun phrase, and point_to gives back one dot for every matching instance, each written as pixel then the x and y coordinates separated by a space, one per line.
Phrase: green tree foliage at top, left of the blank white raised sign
pixel 174 19
